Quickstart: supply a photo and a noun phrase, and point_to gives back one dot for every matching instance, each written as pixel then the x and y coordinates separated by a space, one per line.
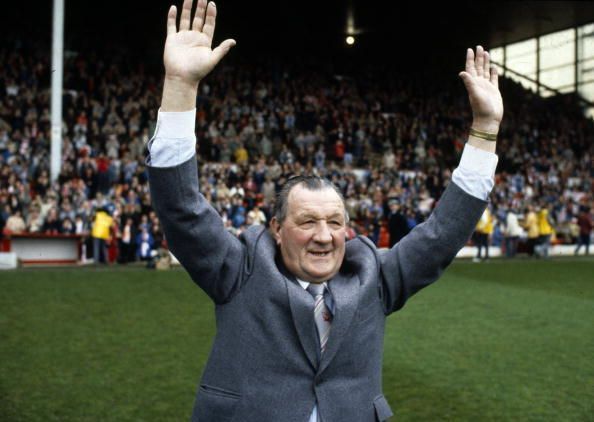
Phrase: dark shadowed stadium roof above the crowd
pixel 384 29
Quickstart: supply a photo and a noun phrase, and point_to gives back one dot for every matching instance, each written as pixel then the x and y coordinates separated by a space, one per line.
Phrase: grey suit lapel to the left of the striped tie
pixel 302 305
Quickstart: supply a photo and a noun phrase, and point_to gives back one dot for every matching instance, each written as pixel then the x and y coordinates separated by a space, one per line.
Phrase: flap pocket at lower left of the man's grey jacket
pixel 215 404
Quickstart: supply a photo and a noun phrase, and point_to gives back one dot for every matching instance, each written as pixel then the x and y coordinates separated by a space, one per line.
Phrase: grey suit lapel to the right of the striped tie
pixel 345 293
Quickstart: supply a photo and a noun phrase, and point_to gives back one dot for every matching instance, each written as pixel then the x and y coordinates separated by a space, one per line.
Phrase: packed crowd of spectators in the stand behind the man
pixel 388 141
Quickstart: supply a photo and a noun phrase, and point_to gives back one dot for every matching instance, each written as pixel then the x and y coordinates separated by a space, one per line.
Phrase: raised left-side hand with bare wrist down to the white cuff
pixel 188 55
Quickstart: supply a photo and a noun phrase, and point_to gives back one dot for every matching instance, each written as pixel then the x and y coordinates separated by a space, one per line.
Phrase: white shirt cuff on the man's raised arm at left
pixel 174 141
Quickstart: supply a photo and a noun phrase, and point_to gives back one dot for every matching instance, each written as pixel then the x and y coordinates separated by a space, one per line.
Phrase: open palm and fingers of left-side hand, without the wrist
pixel 188 55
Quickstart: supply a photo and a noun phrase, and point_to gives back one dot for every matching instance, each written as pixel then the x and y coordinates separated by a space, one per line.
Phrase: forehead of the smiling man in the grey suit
pixel 320 202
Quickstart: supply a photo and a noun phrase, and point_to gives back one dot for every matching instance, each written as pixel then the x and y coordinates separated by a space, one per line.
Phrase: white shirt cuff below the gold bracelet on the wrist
pixel 476 172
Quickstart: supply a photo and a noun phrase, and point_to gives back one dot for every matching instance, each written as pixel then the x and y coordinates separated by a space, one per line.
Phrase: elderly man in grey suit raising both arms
pixel 300 311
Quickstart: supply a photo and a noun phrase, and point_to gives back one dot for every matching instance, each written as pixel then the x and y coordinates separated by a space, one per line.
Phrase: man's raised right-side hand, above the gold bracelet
pixel 483 91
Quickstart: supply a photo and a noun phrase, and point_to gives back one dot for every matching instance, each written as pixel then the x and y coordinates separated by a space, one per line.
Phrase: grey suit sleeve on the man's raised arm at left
pixel 194 231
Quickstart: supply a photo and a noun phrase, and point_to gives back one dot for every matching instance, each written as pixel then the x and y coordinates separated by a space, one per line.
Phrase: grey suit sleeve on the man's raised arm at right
pixel 421 256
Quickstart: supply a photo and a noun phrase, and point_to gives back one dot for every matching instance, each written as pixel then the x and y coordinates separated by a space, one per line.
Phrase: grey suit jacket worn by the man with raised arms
pixel 263 365
